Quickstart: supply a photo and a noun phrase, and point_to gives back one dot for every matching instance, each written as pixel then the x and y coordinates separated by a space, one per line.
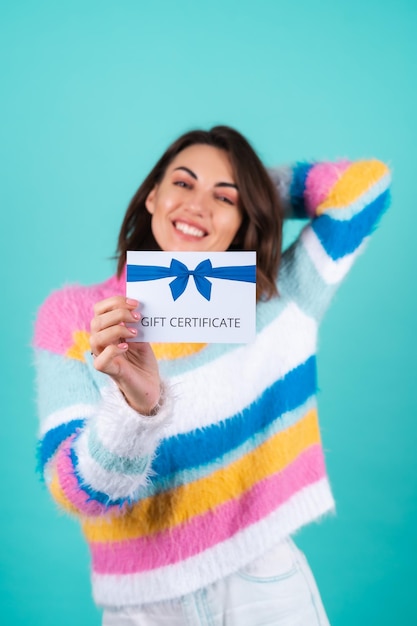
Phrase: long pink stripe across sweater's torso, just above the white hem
pixel 204 531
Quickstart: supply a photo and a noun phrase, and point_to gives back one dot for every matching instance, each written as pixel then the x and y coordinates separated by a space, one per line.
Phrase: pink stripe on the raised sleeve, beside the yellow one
pixel 320 181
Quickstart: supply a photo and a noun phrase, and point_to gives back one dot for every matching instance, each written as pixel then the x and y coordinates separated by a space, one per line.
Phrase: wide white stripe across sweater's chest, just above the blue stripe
pixel 286 342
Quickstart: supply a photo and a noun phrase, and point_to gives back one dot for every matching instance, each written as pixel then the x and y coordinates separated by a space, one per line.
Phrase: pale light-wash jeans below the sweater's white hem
pixel 276 590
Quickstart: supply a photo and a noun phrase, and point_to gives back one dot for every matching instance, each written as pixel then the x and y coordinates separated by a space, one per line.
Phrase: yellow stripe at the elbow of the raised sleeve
pixel 354 182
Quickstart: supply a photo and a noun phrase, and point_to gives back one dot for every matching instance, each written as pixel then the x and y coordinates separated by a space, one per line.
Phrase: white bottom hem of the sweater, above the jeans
pixel 188 575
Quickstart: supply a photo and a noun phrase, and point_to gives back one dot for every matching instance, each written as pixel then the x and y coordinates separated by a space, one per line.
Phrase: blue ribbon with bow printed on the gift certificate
pixel 203 271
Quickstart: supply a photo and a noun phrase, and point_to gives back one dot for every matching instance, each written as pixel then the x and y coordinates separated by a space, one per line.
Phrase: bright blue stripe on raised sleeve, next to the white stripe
pixel 339 238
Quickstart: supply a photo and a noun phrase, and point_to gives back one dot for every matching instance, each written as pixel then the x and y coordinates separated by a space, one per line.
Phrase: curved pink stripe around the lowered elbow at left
pixel 71 487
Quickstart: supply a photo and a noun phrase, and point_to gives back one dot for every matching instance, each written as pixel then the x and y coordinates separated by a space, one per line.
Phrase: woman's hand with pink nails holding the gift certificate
pixel 133 365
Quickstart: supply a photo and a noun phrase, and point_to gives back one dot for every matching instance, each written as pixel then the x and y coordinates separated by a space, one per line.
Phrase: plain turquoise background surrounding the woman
pixel 91 93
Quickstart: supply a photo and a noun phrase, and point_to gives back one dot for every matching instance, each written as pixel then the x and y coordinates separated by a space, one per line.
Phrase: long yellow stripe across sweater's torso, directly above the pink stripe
pixel 174 507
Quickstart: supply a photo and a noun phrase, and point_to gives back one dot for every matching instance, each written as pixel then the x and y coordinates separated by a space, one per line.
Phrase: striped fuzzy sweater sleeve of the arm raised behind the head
pixel 343 201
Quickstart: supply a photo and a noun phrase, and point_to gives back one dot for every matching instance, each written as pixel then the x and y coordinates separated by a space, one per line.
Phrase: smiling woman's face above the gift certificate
pixel 195 206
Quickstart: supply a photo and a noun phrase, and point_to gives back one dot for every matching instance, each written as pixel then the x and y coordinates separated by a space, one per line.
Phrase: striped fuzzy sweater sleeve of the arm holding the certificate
pixel 94 450
